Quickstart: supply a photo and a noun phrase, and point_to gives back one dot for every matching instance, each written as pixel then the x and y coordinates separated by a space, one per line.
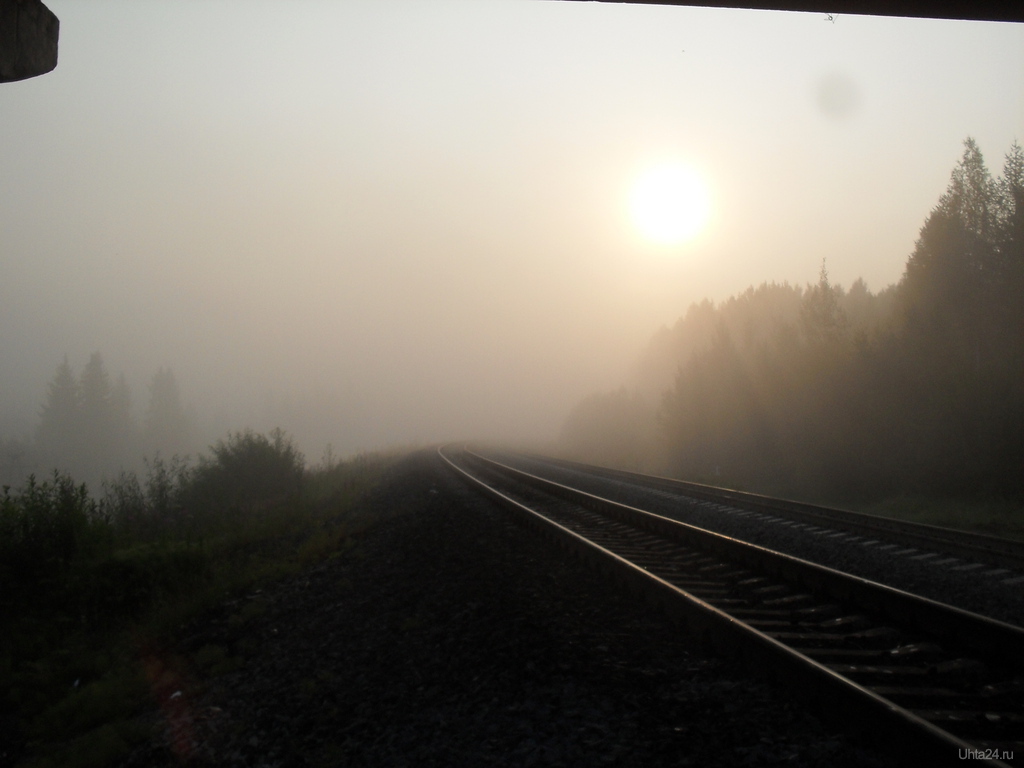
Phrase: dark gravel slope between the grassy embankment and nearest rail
pixel 450 636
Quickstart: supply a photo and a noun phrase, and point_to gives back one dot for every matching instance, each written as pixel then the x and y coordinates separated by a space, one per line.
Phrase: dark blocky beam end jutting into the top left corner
pixel 28 39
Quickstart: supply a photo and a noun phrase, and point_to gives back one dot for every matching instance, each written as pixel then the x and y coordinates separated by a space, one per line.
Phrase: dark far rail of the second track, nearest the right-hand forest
pixel 1004 552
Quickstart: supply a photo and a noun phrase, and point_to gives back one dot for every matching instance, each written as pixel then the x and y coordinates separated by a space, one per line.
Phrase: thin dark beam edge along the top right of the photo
pixel 974 11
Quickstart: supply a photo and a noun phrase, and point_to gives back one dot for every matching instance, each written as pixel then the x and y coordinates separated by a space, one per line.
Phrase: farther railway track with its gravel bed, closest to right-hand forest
pixel 935 568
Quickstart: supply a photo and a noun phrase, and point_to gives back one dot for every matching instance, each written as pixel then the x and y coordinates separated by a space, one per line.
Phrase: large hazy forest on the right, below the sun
pixel 824 393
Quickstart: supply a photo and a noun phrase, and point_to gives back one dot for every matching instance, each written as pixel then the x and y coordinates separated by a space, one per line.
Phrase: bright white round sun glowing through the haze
pixel 670 204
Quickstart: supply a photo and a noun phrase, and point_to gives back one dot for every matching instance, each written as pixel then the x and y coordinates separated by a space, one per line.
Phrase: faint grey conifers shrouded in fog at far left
pixel 88 428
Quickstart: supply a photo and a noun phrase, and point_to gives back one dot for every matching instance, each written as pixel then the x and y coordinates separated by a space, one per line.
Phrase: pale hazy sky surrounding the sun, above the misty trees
pixel 376 223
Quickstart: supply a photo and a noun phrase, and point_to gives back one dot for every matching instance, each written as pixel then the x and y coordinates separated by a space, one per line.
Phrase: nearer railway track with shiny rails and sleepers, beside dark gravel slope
pixel 938 685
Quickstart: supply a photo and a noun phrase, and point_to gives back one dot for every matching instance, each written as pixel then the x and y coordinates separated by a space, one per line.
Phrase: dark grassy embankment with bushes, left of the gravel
pixel 93 588
